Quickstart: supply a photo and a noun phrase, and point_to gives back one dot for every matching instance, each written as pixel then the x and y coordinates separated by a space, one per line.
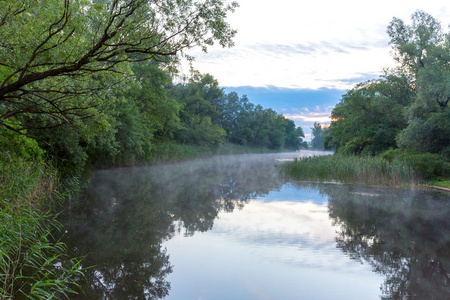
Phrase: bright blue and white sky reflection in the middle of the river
pixel 281 246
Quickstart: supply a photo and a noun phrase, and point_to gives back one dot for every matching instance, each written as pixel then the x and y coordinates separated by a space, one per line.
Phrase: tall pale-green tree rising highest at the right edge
pixel 423 51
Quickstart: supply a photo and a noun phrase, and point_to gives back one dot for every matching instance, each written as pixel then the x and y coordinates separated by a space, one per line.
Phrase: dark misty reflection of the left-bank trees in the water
pixel 121 221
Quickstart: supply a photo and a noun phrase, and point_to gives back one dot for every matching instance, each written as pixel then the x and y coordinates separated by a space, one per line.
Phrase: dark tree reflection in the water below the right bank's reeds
pixel 404 235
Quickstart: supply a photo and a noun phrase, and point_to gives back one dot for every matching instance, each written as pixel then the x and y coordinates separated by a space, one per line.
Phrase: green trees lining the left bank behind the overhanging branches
pixel 149 111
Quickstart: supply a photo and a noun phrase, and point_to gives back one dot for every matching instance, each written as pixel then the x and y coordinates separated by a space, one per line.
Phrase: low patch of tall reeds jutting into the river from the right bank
pixel 367 170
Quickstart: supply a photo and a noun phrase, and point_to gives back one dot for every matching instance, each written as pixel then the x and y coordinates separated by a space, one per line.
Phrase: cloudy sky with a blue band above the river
pixel 300 57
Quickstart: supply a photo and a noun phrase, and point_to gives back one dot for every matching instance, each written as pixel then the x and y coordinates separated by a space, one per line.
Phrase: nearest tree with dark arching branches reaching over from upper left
pixel 59 60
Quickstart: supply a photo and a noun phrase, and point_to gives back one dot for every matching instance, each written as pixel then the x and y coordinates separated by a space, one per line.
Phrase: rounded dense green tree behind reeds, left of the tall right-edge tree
pixel 369 117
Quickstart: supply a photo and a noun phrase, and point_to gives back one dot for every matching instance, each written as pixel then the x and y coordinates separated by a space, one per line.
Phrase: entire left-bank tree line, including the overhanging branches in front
pixel 93 81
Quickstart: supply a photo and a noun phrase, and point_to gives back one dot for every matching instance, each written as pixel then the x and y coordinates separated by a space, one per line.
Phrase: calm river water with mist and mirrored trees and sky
pixel 232 227
